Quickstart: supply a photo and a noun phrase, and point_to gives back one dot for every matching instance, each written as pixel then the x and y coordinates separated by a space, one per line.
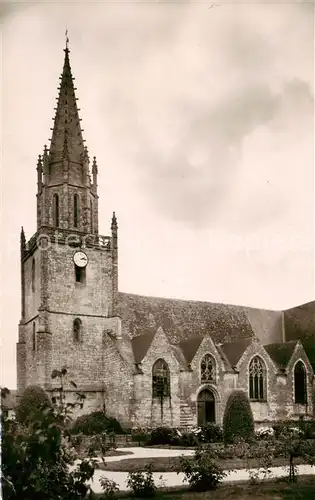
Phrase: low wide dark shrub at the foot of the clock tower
pixel 96 423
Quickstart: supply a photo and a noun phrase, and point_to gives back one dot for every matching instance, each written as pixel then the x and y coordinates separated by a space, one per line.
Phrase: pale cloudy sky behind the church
pixel 202 122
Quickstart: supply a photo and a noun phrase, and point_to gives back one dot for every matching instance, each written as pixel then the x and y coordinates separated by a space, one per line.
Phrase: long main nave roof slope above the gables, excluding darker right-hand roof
pixel 183 319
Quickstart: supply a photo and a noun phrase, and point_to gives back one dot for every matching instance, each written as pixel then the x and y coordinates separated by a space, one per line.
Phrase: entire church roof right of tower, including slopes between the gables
pixel 232 327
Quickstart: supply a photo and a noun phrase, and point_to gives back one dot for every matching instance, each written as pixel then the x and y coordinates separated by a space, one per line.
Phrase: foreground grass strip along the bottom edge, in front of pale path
pixel 304 489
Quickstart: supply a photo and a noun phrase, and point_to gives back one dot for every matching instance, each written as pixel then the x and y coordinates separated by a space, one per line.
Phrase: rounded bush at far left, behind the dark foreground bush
pixel 33 401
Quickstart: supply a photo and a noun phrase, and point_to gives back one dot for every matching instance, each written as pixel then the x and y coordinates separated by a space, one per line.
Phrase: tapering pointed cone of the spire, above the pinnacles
pixel 67 140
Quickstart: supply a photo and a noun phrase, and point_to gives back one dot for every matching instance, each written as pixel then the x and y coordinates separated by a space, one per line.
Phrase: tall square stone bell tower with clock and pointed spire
pixel 69 272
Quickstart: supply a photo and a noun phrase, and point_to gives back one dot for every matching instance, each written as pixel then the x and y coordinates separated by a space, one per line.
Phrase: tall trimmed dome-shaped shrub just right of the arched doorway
pixel 238 421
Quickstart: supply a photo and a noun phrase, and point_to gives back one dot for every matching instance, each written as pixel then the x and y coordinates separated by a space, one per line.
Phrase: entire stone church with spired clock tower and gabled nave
pixel 147 361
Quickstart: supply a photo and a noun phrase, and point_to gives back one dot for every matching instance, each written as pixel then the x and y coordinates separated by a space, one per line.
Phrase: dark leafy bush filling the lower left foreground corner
pixel 38 461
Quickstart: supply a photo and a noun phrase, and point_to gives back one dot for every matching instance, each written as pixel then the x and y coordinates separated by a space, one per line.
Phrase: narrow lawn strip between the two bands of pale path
pixel 172 464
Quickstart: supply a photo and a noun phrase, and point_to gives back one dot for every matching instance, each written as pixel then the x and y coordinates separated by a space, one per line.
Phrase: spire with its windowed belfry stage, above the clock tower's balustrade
pixel 66 186
